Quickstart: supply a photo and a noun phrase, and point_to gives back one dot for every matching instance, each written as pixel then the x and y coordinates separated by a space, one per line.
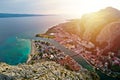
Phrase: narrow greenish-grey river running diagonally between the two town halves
pixel 78 58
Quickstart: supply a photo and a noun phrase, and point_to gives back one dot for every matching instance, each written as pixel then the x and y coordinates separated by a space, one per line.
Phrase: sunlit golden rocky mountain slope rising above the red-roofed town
pixel 91 26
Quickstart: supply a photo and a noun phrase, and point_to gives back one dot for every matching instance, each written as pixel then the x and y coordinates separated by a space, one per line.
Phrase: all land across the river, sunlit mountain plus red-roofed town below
pixel 96 36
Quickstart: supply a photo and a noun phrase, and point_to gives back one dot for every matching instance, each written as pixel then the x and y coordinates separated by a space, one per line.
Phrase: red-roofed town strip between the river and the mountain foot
pixel 108 64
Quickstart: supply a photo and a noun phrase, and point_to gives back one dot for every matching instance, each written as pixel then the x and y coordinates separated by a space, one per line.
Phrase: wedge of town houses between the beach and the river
pixel 46 51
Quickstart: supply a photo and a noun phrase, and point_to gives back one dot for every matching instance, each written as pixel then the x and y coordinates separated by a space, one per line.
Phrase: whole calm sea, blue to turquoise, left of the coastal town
pixel 16 33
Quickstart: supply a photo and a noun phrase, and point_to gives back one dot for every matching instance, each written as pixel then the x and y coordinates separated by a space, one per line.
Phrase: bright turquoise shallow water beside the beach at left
pixel 15 50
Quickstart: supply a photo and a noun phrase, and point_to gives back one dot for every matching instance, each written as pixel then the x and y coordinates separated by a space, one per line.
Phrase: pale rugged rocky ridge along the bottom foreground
pixel 46 70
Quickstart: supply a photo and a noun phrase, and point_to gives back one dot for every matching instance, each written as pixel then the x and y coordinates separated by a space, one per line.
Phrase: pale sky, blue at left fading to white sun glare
pixel 71 7
